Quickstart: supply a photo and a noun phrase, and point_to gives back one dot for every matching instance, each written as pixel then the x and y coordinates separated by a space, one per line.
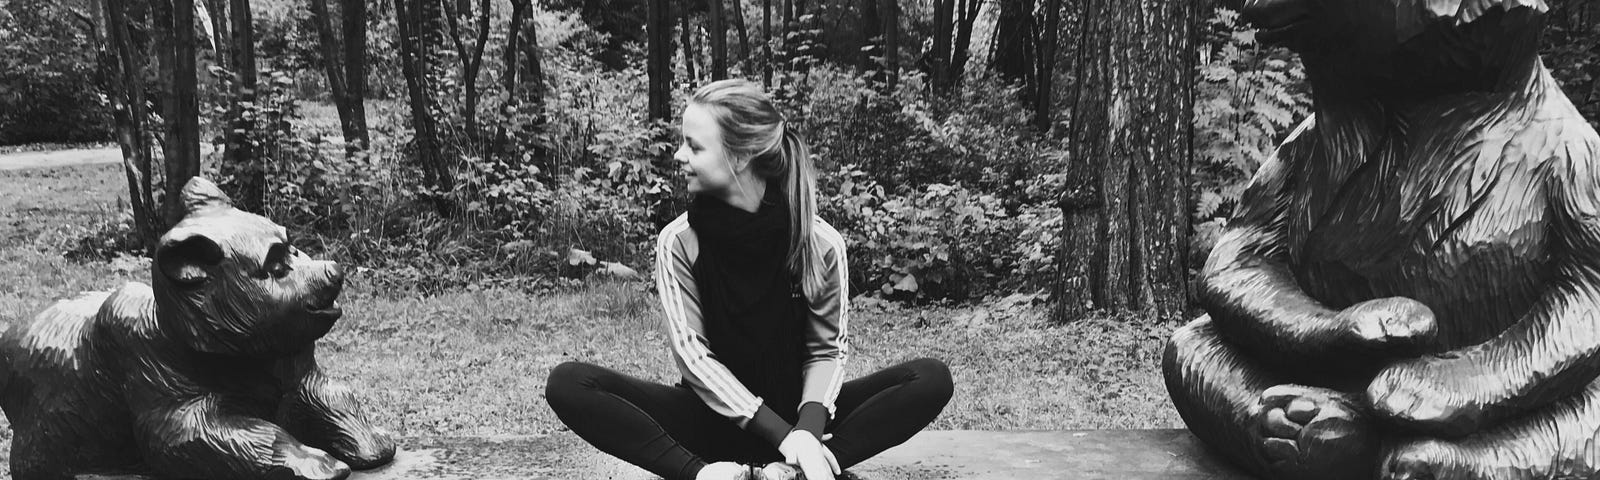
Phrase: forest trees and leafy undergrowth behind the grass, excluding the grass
pixel 1025 151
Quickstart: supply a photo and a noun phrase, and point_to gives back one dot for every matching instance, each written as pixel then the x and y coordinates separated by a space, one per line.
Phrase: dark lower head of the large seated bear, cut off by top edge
pixel 1406 47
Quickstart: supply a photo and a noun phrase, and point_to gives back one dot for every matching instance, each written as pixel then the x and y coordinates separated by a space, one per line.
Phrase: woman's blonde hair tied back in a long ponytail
pixel 753 129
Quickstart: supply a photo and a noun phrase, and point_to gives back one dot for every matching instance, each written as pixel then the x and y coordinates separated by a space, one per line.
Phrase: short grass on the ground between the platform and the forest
pixel 474 361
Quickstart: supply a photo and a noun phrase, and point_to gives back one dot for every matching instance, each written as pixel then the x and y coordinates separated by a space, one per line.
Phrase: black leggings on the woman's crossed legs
pixel 671 433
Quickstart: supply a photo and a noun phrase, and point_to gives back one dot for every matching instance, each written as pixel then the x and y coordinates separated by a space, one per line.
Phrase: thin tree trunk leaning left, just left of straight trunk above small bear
pixel 124 63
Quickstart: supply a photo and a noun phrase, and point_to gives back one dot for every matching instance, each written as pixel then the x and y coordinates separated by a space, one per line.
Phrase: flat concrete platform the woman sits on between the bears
pixel 1090 455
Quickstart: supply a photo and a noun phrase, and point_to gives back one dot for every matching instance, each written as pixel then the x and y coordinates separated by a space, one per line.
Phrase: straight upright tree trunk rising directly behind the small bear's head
pixel 180 108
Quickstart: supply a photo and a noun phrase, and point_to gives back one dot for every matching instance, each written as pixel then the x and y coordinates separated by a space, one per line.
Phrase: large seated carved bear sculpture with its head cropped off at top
pixel 1412 287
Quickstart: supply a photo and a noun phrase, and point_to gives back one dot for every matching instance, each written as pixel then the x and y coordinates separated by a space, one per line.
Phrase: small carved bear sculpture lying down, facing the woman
pixel 207 374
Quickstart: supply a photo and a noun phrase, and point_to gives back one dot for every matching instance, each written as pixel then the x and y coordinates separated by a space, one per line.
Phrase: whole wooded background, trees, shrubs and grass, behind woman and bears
pixel 1028 186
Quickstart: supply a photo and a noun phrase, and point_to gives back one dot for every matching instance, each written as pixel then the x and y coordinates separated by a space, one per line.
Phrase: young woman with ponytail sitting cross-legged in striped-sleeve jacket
pixel 754 289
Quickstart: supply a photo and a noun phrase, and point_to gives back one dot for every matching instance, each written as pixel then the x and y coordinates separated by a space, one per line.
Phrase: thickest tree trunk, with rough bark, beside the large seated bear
pixel 1132 135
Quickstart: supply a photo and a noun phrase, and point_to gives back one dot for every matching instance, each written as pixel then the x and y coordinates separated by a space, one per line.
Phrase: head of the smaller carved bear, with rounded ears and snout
pixel 230 282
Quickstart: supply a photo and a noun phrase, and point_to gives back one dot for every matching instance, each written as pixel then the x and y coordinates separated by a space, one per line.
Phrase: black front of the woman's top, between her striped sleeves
pixel 753 321
